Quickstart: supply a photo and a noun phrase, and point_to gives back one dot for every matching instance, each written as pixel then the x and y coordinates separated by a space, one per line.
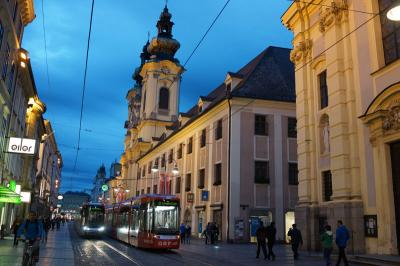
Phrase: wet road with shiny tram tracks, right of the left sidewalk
pixel 107 251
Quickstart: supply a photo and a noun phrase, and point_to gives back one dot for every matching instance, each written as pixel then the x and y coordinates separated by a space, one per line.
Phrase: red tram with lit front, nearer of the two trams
pixel 147 221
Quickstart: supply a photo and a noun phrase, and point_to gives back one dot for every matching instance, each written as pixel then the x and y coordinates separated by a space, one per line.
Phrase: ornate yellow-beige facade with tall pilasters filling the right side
pixel 347 97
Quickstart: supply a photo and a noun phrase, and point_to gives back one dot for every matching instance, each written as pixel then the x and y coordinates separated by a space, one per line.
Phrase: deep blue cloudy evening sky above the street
pixel 119 32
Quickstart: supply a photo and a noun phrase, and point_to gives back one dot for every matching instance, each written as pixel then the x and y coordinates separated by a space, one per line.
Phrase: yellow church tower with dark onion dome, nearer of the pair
pixel 160 75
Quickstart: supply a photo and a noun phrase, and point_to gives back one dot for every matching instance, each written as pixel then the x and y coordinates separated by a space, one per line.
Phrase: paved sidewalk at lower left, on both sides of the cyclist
pixel 56 252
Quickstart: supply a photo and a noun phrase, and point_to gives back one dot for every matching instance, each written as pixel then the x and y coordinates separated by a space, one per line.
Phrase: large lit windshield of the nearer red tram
pixel 166 217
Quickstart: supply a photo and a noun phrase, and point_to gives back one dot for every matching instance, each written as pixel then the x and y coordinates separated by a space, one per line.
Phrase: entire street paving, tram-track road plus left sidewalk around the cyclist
pixel 66 248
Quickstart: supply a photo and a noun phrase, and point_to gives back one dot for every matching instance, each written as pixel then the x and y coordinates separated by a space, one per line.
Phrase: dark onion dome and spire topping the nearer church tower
pixel 164 47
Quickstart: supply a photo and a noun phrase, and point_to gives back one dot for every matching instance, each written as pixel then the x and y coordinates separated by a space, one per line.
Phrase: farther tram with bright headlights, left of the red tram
pixel 91 220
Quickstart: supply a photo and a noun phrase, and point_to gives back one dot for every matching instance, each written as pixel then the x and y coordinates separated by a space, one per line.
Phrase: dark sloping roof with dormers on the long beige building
pixel 268 76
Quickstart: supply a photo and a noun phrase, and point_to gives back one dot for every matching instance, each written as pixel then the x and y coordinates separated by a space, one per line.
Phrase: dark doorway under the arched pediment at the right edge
pixel 395 158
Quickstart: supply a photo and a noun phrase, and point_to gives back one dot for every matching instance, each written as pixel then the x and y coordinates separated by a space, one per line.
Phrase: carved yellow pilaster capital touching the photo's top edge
pixel 333 14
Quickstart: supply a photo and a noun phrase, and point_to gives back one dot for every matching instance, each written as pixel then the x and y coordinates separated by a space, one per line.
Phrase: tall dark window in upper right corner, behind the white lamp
pixel 390 33
